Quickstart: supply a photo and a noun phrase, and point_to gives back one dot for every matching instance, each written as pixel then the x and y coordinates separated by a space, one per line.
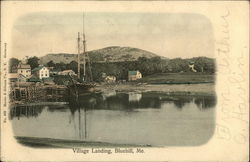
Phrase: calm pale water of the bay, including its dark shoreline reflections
pixel 150 118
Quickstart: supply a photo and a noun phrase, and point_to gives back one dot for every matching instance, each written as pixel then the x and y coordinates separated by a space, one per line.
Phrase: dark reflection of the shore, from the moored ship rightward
pixel 130 101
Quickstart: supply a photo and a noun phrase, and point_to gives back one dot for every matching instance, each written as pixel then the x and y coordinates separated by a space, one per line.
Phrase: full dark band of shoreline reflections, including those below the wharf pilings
pixel 119 101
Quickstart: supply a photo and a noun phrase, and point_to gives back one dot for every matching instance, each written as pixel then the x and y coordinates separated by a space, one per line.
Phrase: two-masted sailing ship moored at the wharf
pixel 84 83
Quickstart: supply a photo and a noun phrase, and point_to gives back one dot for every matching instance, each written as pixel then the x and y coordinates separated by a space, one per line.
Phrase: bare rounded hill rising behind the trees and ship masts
pixel 108 54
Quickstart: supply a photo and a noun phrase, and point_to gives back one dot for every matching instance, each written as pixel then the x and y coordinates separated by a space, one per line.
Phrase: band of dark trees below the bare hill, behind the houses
pixel 147 66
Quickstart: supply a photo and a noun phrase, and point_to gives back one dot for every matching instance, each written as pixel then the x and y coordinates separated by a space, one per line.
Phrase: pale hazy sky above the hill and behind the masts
pixel 169 35
